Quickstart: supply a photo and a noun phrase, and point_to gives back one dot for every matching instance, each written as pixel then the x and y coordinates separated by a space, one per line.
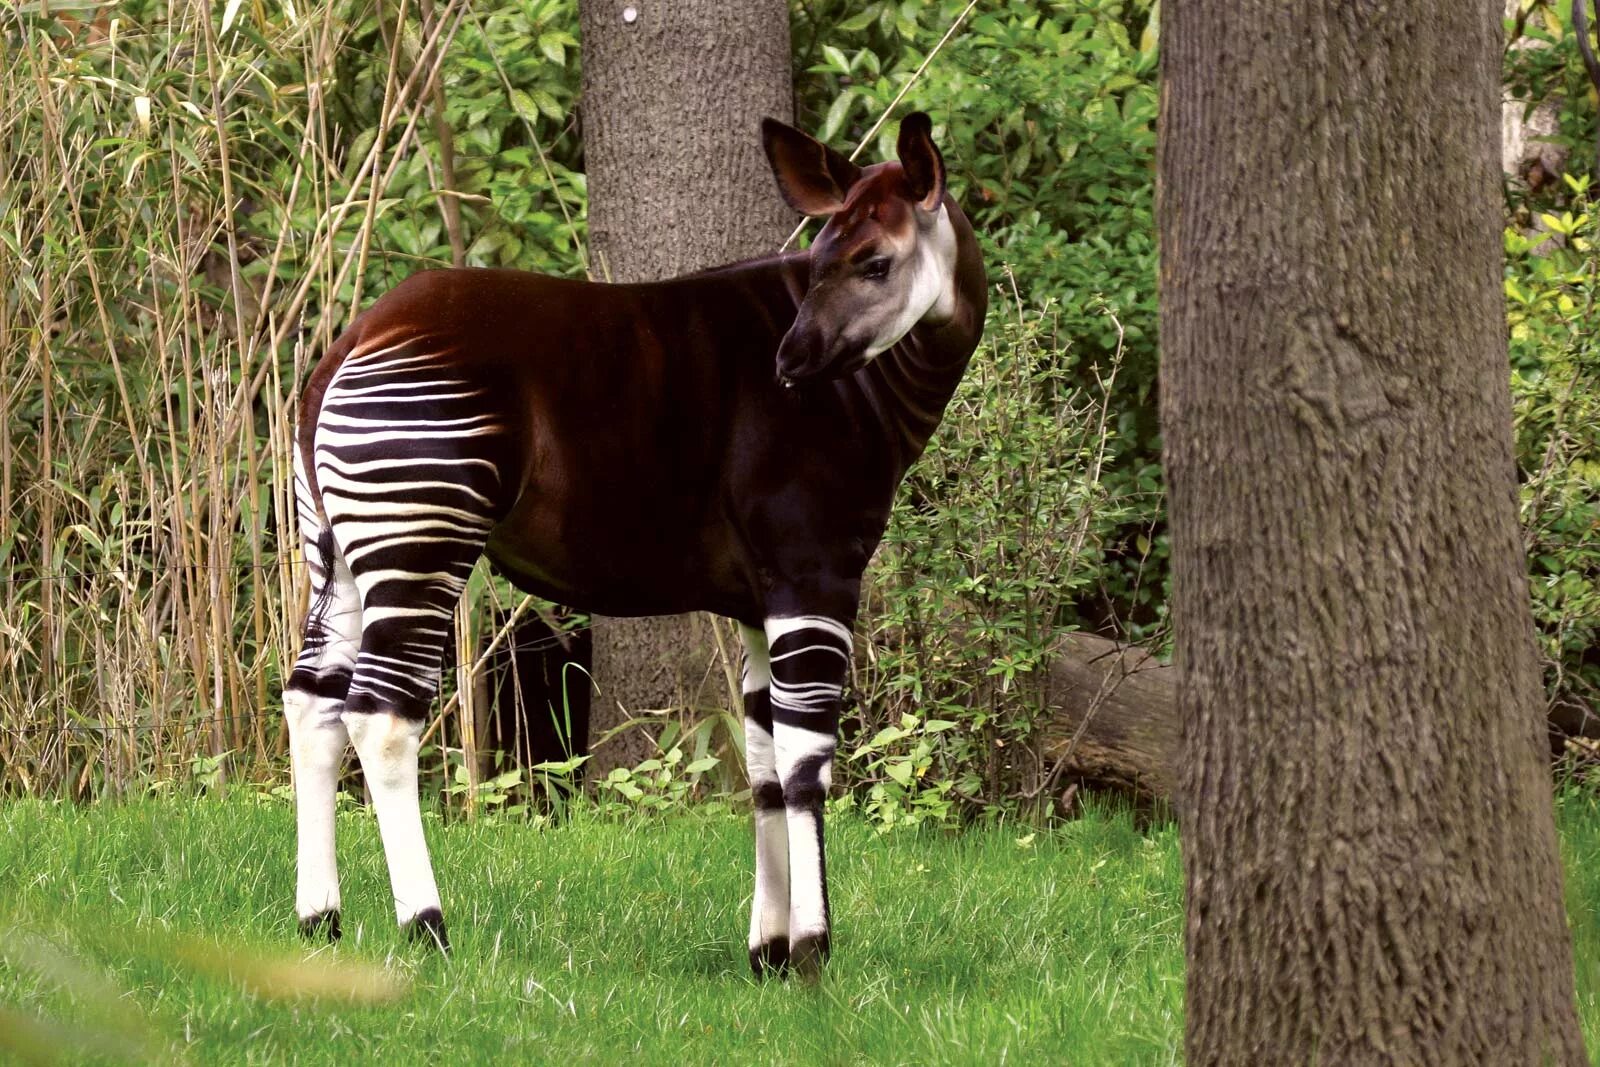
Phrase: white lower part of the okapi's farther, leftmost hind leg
pixel 318 743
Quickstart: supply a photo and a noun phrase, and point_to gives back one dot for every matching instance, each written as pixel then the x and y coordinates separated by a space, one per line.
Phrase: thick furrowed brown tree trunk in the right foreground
pixel 1370 852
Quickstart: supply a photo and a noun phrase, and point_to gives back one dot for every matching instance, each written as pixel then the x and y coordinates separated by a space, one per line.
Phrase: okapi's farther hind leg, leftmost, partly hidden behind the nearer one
pixel 314 705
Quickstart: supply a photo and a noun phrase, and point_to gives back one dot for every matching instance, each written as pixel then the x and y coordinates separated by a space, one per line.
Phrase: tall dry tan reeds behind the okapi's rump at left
pixel 183 228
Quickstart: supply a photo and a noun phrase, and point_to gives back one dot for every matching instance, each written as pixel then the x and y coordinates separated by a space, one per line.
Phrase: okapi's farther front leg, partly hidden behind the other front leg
pixel 770 905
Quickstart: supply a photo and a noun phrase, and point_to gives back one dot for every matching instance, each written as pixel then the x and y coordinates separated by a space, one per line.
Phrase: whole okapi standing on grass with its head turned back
pixel 726 442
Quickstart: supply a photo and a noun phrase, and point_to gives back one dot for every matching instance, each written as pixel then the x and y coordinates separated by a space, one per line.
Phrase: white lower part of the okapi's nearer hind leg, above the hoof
pixel 388 748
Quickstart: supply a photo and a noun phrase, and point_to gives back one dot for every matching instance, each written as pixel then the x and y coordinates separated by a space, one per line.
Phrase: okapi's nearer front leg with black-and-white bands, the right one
pixel 809 657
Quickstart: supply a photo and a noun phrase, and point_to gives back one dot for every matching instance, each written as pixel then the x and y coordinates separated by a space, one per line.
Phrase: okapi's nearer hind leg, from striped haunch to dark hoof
pixel 407 465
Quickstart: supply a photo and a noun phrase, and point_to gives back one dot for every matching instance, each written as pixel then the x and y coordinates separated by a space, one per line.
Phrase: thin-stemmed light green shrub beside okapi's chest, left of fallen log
pixel 999 533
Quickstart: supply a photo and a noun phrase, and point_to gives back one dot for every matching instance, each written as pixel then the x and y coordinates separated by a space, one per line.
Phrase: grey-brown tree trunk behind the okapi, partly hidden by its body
pixel 674 95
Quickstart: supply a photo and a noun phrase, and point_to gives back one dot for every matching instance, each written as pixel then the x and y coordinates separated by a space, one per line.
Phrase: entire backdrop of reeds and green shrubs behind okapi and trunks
pixel 193 201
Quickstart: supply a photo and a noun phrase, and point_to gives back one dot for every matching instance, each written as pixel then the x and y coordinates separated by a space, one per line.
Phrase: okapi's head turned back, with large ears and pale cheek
pixel 886 260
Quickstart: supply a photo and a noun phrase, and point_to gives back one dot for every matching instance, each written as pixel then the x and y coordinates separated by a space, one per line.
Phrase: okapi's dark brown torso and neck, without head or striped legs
pixel 654 465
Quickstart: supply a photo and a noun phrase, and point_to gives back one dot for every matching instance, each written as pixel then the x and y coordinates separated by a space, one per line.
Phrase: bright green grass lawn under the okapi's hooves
pixel 617 941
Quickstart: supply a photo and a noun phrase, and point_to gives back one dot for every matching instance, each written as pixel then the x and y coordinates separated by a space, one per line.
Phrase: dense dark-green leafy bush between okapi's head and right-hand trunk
pixel 1046 114
